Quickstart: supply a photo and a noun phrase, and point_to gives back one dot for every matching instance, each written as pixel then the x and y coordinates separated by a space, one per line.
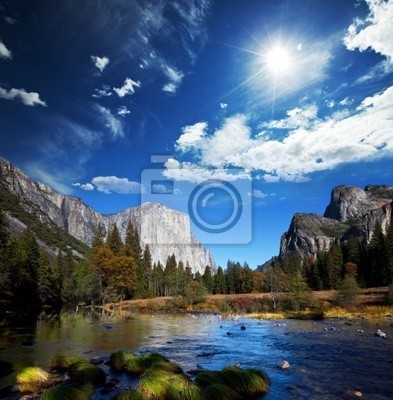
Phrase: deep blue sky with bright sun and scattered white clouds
pixel 240 113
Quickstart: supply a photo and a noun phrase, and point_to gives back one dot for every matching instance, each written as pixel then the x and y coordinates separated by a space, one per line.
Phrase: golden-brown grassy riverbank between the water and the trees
pixel 370 303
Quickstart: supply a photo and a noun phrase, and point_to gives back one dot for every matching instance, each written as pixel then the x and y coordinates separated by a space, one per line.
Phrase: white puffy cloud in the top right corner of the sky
pixel 375 31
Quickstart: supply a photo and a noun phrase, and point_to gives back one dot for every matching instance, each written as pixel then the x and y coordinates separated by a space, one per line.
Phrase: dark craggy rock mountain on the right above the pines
pixel 352 211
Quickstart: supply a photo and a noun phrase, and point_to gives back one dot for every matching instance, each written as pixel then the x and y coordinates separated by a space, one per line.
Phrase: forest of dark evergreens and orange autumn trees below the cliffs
pixel 114 270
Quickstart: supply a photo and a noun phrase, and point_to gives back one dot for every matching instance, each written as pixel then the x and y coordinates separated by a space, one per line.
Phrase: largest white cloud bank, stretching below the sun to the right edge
pixel 311 144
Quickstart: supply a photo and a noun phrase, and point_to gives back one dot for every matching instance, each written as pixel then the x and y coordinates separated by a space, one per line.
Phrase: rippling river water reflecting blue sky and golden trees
pixel 328 359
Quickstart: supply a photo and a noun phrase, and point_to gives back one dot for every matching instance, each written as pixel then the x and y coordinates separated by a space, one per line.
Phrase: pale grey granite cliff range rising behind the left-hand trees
pixel 166 231
